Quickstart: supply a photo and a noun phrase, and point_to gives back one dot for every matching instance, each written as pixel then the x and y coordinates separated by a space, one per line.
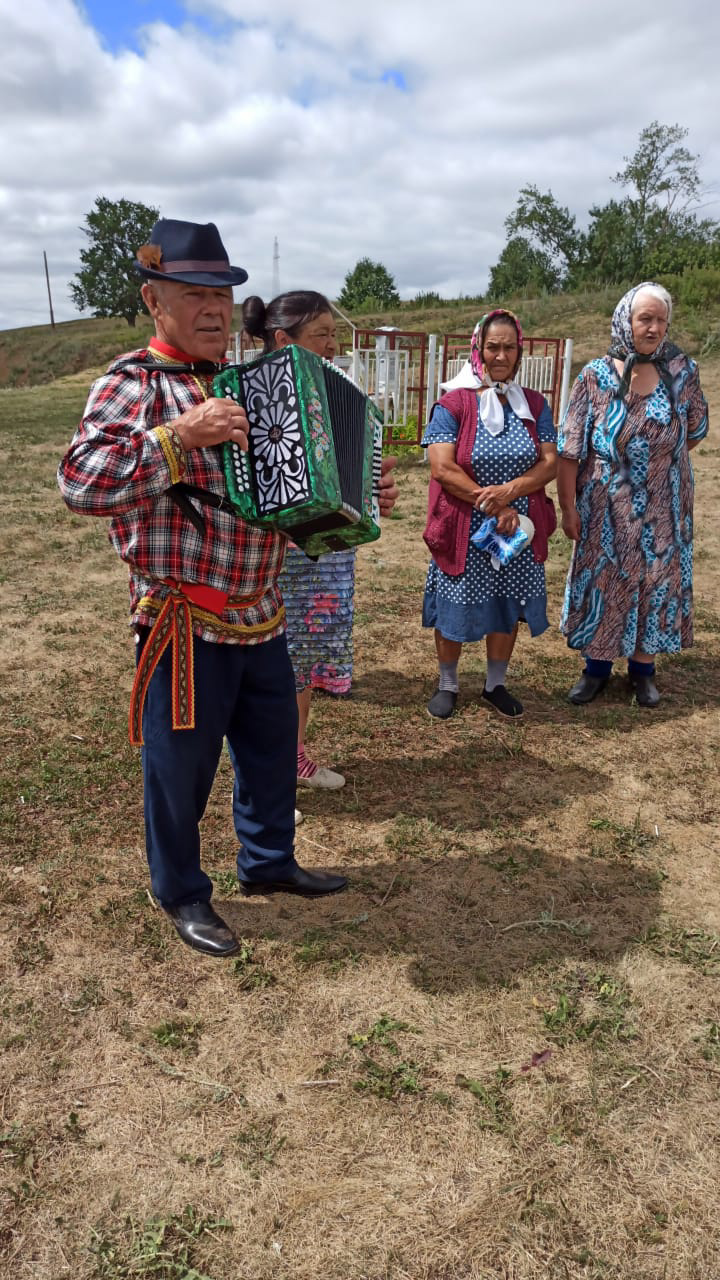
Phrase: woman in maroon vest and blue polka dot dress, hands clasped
pixel 489 451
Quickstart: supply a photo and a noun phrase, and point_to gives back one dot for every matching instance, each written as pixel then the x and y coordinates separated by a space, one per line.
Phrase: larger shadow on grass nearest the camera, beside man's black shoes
pixel 463 922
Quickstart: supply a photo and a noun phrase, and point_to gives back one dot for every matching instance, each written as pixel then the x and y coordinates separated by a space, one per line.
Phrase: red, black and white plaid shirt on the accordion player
pixel 122 460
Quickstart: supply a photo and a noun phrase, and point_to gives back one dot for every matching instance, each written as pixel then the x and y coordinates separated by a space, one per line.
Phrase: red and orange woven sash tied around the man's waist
pixel 174 625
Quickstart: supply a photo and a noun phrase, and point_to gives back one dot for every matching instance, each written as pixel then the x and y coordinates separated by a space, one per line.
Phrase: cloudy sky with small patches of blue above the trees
pixel 398 130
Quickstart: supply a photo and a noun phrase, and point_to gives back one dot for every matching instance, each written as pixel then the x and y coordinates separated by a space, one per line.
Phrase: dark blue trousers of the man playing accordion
pixel 247 694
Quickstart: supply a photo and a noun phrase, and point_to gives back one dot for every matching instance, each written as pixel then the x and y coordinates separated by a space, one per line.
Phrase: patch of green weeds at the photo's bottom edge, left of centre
pixel 165 1247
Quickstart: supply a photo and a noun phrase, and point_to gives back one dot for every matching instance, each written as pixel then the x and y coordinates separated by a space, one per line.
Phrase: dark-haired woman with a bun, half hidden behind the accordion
pixel 318 595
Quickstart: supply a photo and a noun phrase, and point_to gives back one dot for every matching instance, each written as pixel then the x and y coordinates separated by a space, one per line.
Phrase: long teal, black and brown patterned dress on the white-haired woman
pixel 631 580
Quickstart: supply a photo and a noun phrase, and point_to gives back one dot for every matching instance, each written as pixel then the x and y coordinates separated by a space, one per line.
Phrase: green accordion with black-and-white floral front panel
pixel 313 464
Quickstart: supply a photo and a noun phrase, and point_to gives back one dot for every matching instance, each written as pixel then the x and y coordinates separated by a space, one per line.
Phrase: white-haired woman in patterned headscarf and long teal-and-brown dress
pixel 626 487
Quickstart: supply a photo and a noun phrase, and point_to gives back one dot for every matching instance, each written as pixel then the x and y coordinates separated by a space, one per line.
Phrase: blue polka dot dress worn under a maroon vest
pixel 484 600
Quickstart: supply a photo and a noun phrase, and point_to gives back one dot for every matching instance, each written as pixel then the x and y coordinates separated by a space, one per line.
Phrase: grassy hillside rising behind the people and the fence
pixel 40 354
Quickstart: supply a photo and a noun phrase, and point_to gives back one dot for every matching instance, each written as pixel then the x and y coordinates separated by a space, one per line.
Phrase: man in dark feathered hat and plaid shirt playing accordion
pixel 206 607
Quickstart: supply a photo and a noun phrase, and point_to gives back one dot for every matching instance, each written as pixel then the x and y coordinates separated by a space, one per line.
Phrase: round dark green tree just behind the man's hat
pixel 108 284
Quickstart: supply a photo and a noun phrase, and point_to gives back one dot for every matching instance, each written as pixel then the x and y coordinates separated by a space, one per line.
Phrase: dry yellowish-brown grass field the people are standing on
pixel 496 1057
